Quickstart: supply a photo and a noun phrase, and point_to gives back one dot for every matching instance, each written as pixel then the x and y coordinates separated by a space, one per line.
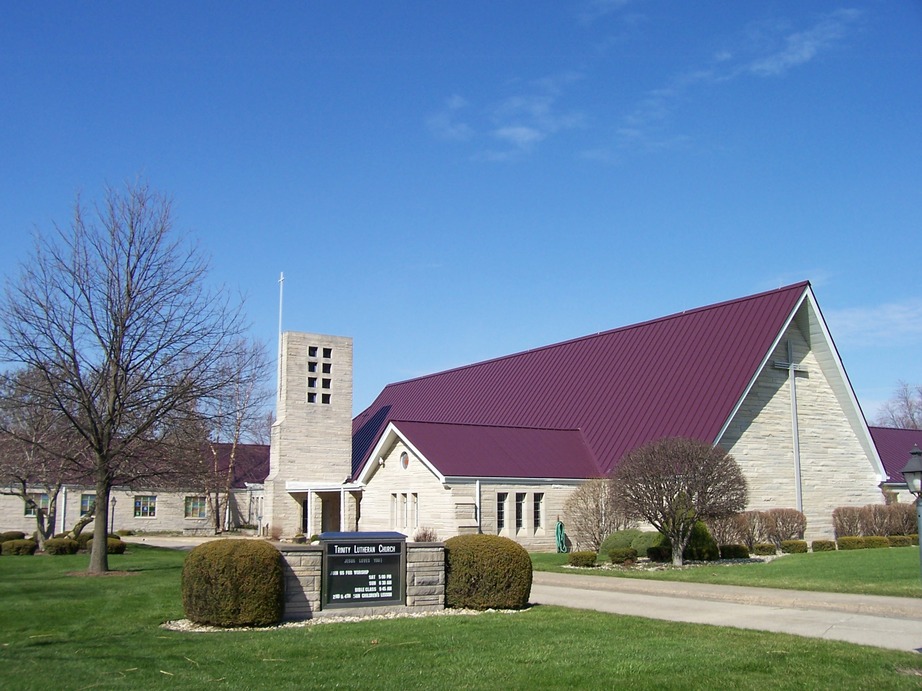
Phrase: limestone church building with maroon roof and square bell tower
pixel 498 446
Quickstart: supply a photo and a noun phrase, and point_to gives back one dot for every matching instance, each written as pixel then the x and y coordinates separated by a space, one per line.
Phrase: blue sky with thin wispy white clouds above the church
pixel 447 183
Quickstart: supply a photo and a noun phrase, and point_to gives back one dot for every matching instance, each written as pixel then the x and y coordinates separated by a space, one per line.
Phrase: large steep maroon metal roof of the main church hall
pixel 680 375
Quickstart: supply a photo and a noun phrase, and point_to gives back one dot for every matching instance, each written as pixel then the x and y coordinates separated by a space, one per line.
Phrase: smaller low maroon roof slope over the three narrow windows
pixel 502 451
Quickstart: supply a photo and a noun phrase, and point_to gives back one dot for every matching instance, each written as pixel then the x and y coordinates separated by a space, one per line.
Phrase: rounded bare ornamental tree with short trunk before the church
pixel 673 483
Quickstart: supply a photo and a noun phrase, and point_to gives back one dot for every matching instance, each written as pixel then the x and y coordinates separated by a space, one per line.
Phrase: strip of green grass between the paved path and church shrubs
pixel 893 572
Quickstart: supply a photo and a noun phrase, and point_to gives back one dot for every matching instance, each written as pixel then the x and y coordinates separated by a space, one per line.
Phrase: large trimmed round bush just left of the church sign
pixel 233 583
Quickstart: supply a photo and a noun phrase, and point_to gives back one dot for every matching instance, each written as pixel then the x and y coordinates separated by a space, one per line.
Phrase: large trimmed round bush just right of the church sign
pixel 486 572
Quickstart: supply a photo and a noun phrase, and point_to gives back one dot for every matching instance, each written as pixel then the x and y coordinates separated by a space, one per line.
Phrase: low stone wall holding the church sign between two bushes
pixel 303 564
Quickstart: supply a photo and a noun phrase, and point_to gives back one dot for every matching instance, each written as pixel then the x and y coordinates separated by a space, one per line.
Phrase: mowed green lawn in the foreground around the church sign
pixel 63 630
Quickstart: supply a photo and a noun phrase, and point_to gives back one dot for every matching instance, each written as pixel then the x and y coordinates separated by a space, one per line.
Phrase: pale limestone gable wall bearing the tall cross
pixel 835 468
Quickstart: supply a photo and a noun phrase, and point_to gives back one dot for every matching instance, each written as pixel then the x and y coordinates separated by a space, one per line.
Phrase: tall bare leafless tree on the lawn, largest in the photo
pixel 115 317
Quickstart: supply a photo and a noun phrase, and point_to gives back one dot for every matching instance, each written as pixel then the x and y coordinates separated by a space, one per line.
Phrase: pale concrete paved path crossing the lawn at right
pixel 885 622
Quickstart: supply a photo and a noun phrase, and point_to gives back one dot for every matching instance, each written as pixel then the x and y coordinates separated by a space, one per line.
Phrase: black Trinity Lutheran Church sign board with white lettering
pixel 363 569
